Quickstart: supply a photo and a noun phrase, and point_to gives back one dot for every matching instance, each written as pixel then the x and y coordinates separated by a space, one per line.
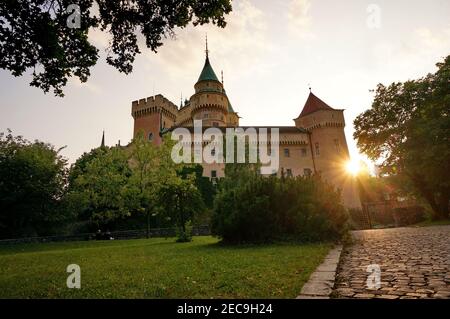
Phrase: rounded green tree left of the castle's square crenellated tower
pixel 99 192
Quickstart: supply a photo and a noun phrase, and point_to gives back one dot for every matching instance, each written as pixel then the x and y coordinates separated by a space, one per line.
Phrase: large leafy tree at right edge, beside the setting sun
pixel 408 131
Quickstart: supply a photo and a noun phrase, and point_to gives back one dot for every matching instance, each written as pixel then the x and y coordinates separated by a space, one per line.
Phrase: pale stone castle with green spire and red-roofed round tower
pixel 315 144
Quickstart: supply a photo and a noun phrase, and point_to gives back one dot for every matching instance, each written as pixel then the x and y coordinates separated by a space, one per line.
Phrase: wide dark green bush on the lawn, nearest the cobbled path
pixel 255 209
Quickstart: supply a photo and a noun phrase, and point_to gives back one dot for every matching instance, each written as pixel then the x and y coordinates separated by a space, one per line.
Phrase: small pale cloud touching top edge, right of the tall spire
pixel 299 19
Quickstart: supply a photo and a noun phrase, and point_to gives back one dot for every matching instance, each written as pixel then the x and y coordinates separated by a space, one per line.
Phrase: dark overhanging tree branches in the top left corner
pixel 51 37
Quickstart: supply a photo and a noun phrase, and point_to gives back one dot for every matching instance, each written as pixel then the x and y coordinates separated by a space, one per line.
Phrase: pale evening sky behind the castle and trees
pixel 270 53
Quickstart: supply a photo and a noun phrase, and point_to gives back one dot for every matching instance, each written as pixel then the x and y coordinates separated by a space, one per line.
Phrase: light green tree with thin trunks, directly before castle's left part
pixel 160 186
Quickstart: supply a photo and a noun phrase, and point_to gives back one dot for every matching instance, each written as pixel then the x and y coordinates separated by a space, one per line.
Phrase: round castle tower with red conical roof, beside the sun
pixel 328 145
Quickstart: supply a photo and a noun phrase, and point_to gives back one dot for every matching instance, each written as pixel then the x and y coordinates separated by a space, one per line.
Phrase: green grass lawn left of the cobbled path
pixel 158 268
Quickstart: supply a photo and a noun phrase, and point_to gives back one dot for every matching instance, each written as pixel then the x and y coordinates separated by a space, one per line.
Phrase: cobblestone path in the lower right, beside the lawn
pixel 414 263
